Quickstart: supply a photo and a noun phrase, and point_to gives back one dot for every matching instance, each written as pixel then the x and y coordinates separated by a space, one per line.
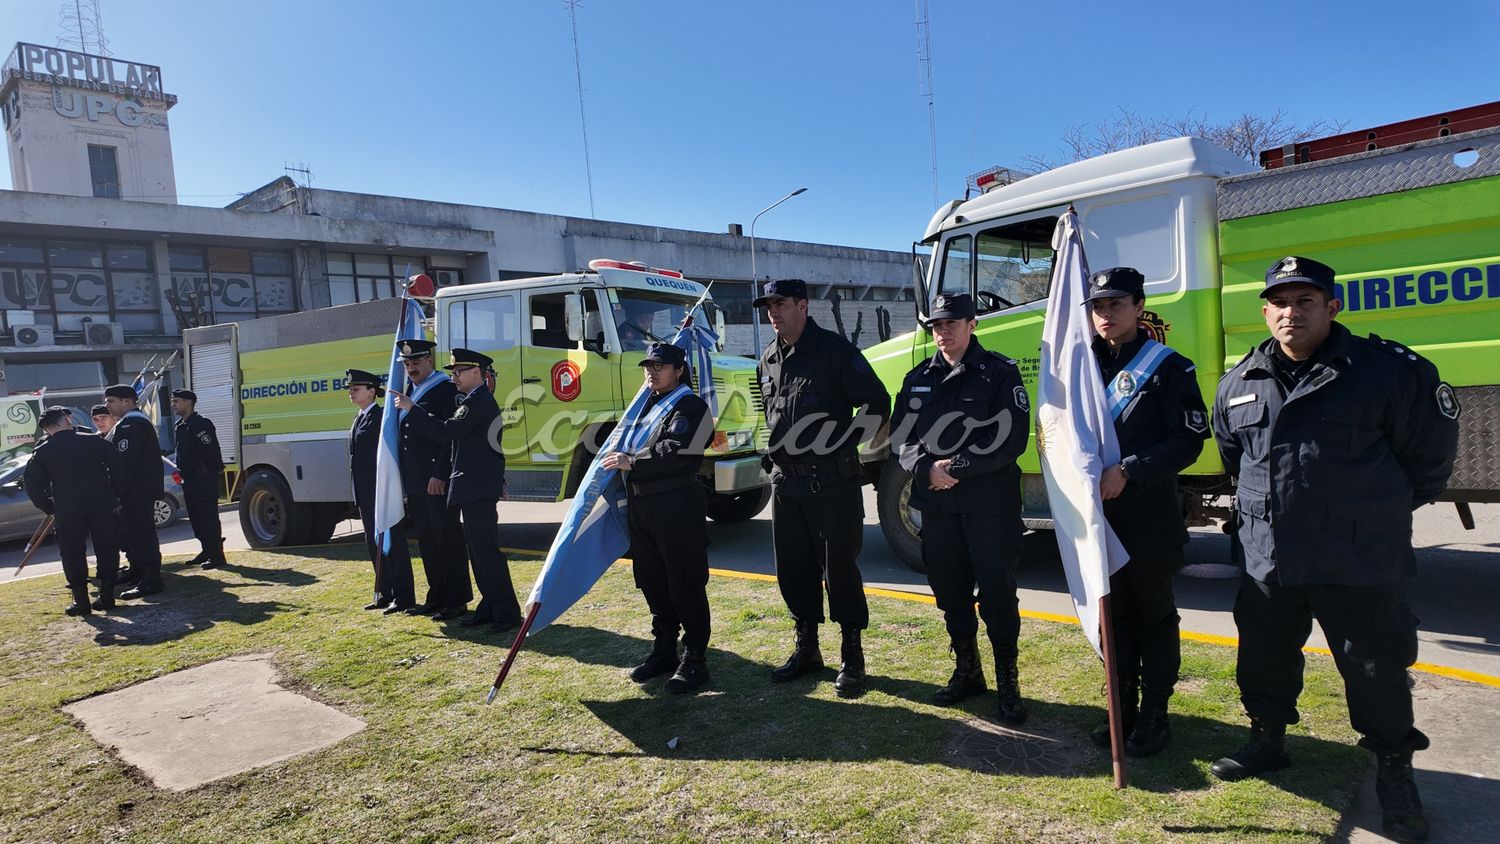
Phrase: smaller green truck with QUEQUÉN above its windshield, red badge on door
pixel 566 349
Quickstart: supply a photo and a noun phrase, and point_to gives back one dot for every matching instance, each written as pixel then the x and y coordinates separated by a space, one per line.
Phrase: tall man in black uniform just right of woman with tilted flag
pixel 811 382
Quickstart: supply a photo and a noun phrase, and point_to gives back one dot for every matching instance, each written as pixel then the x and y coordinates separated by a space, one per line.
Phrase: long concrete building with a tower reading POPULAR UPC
pixel 95 283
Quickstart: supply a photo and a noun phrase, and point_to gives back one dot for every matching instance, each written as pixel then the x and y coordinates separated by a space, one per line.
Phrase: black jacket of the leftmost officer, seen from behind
pixel 74 471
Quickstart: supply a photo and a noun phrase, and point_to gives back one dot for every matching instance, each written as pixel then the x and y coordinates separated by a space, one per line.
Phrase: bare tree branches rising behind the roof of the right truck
pixel 1246 136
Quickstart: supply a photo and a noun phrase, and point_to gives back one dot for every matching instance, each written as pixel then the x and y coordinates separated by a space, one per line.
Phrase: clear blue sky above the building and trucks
pixel 700 115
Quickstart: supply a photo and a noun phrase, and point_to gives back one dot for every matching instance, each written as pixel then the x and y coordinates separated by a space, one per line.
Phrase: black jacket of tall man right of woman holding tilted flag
pixel 811 392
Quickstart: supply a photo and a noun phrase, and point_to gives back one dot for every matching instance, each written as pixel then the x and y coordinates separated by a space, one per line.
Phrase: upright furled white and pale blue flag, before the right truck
pixel 1075 432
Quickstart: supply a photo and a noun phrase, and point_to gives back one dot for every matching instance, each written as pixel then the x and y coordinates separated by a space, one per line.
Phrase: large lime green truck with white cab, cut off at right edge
pixel 1414 232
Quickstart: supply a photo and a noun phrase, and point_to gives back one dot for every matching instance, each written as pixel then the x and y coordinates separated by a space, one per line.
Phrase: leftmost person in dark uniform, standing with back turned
pixel 77 479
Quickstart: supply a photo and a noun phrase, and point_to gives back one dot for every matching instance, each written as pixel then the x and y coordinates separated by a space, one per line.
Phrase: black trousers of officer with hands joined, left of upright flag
pixel 967 551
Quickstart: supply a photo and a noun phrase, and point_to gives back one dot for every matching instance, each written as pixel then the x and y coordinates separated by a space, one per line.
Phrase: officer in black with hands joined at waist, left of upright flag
pixel 961 422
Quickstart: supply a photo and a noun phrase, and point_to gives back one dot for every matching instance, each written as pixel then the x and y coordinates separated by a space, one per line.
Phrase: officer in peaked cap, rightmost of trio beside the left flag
pixel 476 485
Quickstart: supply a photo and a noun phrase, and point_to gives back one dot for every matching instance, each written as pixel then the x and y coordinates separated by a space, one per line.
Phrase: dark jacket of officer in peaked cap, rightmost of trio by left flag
pixel 479 468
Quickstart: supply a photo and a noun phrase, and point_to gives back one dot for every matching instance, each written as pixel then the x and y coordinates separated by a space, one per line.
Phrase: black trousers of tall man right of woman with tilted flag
pixel 817 540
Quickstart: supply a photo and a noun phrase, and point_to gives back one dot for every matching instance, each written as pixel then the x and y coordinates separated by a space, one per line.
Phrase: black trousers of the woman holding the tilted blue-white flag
pixel 670 542
